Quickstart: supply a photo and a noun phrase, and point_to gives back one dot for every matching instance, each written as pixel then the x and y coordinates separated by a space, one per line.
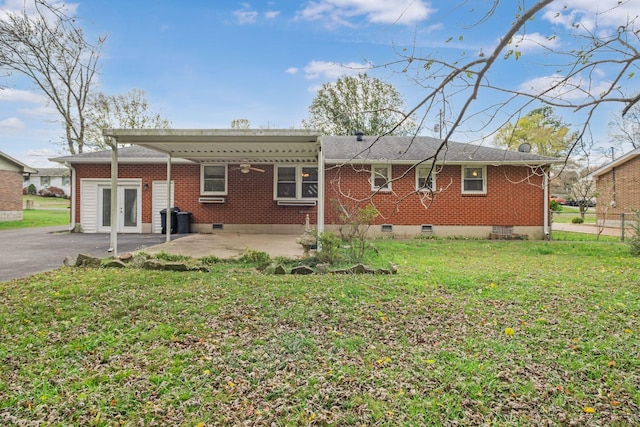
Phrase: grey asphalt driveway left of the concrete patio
pixel 27 251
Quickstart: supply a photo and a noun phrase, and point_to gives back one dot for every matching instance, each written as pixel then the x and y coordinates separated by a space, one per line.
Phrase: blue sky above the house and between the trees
pixel 204 63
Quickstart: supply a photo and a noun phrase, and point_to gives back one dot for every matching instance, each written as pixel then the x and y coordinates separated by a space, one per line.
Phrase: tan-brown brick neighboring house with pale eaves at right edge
pixel 618 185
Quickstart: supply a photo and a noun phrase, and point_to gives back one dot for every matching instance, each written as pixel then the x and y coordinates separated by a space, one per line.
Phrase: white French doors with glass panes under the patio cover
pixel 129 209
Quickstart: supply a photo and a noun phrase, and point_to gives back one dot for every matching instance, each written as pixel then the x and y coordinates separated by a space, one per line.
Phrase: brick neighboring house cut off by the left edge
pixel 11 177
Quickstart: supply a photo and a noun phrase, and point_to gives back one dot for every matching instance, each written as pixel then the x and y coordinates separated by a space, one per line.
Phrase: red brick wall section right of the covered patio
pixel 514 197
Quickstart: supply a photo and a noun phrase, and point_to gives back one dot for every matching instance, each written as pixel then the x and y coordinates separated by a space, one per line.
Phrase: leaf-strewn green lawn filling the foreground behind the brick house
pixel 467 333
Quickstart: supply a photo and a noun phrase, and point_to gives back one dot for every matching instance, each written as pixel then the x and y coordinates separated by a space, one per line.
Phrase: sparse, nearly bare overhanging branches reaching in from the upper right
pixel 572 86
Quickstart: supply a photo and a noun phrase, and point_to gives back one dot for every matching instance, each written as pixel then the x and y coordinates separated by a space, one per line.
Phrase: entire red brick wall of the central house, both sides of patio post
pixel 514 196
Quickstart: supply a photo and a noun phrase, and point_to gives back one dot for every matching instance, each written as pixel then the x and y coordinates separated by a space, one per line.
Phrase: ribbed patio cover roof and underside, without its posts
pixel 228 145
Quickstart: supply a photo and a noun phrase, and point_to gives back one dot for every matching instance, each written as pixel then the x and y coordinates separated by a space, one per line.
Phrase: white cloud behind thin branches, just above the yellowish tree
pixel 574 89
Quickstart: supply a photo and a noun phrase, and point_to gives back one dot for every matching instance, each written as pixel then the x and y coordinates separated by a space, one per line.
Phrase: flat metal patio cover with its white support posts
pixel 221 146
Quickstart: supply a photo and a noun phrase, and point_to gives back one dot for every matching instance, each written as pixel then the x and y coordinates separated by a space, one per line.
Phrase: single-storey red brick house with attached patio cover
pixel 273 181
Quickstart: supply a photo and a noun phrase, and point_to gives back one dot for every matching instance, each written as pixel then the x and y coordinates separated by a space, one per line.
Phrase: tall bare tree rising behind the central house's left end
pixel 44 44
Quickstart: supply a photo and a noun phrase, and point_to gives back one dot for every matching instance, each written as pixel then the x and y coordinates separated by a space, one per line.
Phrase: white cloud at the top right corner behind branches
pixel 590 14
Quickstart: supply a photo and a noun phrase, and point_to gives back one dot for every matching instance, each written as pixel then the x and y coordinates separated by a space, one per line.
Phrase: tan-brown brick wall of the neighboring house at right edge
pixel 627 188
